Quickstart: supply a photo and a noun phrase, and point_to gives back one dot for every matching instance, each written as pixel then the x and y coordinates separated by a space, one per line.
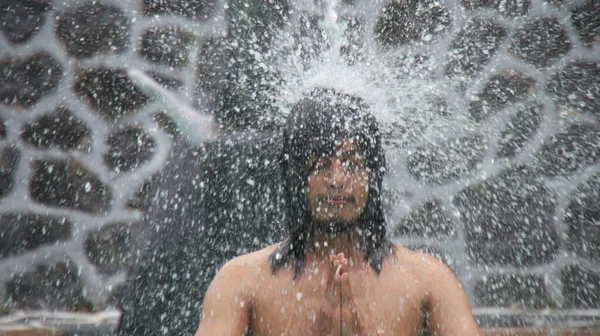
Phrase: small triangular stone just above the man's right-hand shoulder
pixel 428 220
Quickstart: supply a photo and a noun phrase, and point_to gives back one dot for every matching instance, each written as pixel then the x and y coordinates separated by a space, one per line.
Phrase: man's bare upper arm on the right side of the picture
pixel 449 311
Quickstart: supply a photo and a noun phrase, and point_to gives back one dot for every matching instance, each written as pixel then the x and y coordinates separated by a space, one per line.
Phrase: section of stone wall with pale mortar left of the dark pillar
pixel 80 143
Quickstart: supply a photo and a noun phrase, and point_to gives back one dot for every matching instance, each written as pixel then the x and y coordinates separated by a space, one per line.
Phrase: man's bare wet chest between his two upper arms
pixel 311 307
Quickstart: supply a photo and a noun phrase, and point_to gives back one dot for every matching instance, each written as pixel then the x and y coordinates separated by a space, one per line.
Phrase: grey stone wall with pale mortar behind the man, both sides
pixel 80 145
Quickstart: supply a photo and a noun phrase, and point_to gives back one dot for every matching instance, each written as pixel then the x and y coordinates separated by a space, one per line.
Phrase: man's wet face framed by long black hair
pixel 338 187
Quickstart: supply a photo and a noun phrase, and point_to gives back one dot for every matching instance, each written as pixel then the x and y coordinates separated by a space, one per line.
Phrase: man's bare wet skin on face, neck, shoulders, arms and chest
pixel 338 293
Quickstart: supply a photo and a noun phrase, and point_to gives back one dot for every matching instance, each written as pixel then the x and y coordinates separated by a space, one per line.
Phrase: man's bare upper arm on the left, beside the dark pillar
pixel 227 306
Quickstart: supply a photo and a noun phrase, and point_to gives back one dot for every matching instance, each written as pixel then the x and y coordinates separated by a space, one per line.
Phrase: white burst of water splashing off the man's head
pixel 403 99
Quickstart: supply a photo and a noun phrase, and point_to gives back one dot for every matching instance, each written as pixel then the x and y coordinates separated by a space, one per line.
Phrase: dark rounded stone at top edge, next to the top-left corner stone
pixel 92 29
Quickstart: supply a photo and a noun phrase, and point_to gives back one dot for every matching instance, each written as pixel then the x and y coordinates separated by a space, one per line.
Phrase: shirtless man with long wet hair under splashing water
pixel 337 273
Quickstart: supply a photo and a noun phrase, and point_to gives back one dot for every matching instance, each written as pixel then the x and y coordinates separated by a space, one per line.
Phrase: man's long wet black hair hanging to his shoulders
pixel 317 123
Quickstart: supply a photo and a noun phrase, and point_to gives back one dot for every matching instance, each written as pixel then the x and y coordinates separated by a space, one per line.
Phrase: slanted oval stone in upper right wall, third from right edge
pixel 474 47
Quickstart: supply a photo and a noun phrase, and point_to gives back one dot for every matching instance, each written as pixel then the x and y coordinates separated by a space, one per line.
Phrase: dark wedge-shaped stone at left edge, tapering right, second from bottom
pixel 25 232
